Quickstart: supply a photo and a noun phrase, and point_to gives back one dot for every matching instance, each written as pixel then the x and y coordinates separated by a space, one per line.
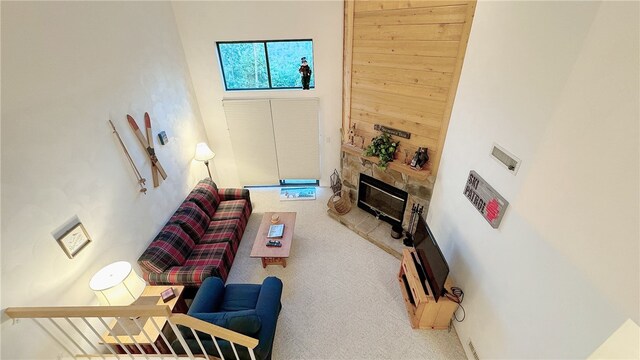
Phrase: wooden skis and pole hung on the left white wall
pixel 156 169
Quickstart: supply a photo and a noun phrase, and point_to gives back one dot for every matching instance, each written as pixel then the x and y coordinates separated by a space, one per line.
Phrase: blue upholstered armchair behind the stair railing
pixel 249 309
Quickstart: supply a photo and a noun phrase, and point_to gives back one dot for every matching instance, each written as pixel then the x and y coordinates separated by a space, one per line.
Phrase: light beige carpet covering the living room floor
pixel 341 299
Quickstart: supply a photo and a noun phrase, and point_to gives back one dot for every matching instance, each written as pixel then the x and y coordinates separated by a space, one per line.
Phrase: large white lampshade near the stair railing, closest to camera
pixel 117 284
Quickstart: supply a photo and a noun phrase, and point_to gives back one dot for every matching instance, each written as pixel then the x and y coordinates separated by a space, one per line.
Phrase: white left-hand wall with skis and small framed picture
pixel 68 67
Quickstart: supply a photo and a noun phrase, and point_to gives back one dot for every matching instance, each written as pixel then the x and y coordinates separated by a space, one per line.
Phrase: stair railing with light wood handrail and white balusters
pixel 90 332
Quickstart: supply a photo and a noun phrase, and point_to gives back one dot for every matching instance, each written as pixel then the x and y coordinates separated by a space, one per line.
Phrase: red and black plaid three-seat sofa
pixel 201 238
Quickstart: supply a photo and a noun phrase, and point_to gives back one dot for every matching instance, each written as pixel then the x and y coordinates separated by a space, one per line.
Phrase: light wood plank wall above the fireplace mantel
pixel 402 64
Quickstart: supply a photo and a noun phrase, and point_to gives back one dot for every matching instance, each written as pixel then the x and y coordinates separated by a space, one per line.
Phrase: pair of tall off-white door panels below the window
pixel 274 139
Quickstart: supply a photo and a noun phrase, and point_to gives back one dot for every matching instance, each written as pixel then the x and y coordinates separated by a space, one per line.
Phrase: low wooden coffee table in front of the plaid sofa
pixel 274 255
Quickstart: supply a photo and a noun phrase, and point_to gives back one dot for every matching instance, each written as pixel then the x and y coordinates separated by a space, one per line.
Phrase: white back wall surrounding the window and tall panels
pixel 201 24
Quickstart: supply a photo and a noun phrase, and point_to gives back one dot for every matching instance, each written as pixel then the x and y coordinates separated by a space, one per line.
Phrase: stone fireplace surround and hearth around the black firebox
pixel 365 224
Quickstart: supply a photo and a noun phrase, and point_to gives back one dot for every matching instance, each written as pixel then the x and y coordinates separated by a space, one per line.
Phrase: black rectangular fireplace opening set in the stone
pixel 382 200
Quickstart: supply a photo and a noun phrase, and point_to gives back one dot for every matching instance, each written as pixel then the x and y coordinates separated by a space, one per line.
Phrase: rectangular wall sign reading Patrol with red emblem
pixel 485 199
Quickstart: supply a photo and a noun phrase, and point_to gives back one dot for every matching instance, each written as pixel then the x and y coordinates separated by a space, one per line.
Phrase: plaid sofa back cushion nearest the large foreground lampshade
pixel 170 248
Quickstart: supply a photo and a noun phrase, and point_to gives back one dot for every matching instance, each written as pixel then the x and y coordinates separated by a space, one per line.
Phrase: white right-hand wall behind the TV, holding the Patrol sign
pixel 556 83
